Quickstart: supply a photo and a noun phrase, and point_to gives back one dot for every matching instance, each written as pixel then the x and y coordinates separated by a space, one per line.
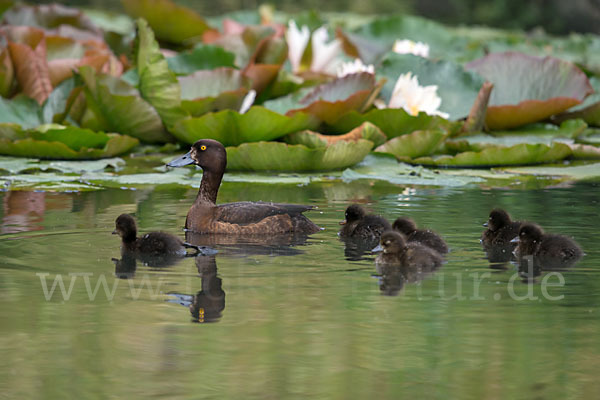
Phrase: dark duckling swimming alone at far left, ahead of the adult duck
pixel 153 243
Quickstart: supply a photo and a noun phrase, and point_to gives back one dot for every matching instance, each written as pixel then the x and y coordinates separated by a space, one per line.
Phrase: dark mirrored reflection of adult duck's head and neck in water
pixel 208 304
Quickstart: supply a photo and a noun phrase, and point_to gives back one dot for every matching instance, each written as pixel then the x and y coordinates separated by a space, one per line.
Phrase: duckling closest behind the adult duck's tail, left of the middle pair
pixel 362 225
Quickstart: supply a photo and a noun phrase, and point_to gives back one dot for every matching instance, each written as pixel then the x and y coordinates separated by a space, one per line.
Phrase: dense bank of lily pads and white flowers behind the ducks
pixel 270 82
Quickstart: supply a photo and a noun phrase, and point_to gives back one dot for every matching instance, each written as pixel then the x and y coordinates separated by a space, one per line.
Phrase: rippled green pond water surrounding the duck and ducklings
pixel 293 320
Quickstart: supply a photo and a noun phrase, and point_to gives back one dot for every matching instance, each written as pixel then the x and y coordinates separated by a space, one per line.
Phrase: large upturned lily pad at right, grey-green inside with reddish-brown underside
pixel 529 89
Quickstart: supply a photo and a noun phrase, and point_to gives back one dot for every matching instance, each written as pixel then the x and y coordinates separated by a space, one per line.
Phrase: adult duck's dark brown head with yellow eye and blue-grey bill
pixel 208 154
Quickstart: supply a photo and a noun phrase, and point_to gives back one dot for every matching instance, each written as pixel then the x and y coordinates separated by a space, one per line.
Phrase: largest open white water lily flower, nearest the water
pixel 412 97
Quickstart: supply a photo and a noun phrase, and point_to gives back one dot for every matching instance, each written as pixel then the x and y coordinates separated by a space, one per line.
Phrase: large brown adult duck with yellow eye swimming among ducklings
pixel 241 218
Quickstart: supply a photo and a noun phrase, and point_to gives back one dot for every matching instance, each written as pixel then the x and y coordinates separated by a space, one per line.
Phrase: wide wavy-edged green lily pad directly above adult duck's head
pixel 232 128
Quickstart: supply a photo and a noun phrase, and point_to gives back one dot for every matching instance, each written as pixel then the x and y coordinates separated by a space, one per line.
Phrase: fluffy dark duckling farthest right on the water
pixel 547 250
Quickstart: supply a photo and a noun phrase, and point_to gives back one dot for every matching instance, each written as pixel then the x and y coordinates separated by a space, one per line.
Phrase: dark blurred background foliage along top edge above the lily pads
pixel 554 16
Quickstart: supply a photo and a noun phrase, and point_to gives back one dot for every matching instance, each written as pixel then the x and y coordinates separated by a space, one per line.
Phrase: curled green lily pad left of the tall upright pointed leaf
pixel 118 107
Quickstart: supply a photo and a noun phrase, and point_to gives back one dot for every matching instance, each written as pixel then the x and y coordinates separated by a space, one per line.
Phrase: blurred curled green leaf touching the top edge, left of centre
pixel 171 22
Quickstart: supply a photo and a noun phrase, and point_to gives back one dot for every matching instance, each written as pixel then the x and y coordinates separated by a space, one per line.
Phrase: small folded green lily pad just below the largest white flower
pixel 413 145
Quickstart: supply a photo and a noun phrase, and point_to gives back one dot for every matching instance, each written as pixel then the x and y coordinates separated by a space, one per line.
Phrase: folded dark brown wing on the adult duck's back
pixel 247 212
